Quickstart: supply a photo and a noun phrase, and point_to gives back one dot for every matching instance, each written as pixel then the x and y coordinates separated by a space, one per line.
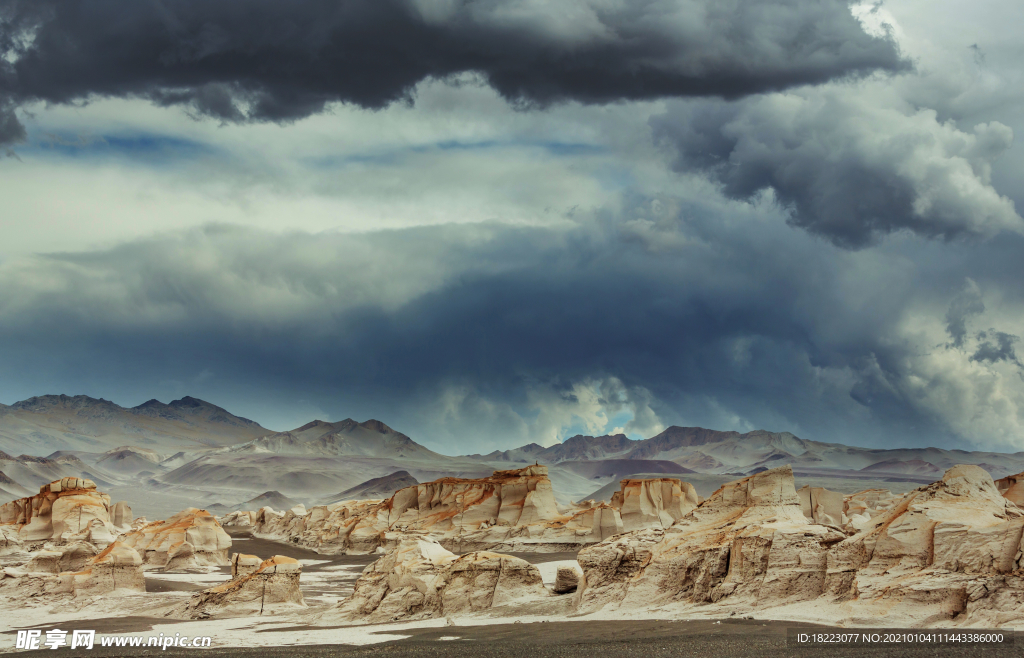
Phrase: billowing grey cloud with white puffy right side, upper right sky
pixel 849 167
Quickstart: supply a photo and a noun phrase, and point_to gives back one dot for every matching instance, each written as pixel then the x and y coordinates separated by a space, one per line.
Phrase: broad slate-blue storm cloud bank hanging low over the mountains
pixel 457 334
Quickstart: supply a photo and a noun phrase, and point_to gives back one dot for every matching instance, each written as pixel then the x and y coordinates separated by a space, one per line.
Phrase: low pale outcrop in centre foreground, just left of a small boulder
pixel 421 580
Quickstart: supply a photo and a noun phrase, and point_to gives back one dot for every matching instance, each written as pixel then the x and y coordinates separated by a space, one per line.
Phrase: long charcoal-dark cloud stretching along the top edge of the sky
pixel 273 61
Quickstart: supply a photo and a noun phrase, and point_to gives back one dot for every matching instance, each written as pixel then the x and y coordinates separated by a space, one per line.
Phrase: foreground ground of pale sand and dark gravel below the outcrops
pixel 546 628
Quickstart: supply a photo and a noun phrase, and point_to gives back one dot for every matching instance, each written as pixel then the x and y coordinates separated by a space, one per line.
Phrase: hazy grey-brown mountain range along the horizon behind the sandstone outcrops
pixel 190 453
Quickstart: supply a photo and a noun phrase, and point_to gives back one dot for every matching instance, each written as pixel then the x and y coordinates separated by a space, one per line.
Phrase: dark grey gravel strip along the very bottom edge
pixel 607 639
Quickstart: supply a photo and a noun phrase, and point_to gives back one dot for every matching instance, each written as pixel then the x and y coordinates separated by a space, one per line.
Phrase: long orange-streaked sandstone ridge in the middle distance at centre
pixel 513 511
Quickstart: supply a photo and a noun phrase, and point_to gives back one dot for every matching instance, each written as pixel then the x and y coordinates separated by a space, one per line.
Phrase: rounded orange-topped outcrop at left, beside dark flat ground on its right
pixel 189 540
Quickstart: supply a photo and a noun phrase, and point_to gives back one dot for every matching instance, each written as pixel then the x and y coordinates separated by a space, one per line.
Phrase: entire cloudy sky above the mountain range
pixel 489 224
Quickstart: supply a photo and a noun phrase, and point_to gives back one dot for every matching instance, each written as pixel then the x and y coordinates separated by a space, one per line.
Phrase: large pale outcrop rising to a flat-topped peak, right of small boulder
pixel 749 542
